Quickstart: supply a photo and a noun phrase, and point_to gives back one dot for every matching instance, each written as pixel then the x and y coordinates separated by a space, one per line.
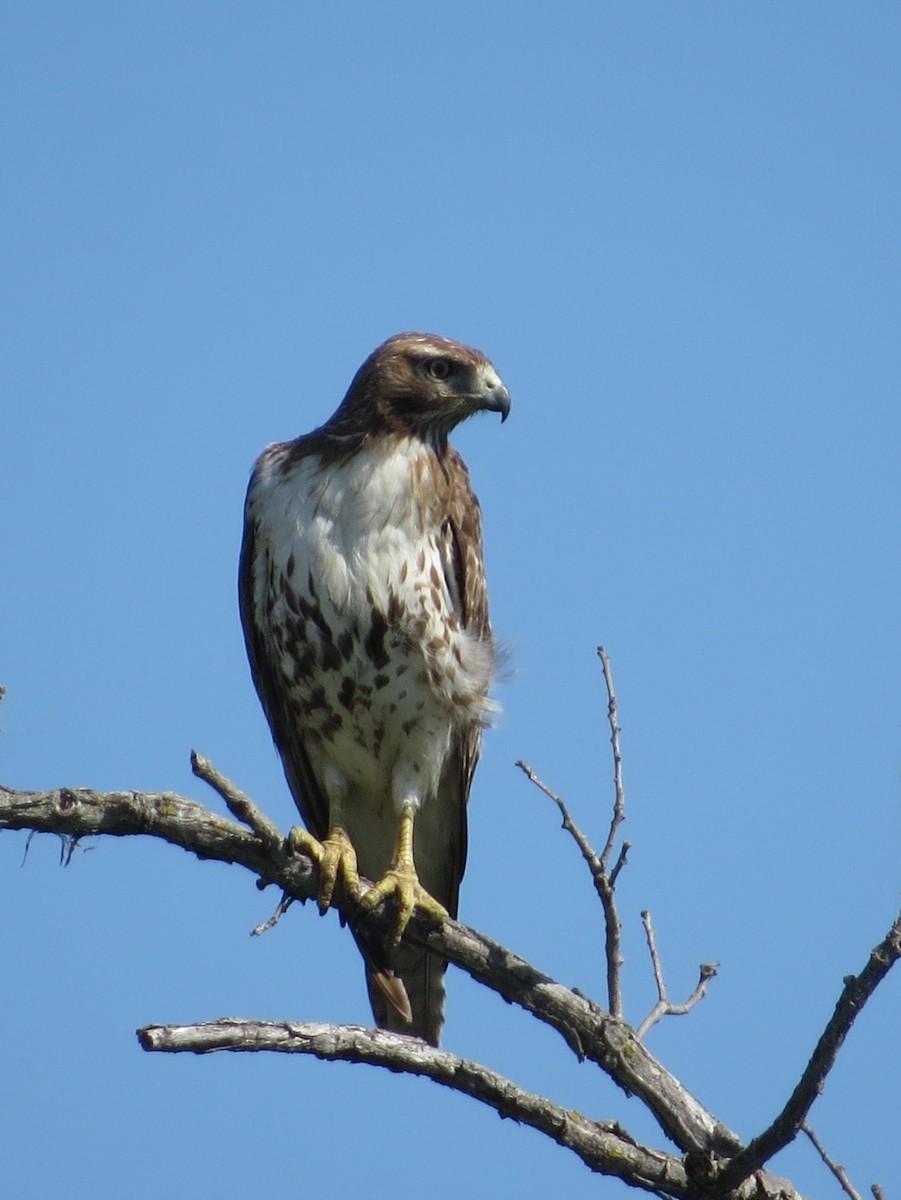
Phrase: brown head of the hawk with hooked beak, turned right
pixel 423 385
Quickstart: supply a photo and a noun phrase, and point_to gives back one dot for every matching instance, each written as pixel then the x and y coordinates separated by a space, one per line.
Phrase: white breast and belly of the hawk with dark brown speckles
pixel 385 671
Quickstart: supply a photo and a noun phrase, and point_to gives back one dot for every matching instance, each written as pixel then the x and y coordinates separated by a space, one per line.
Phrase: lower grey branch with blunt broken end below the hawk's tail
pixel 603 1147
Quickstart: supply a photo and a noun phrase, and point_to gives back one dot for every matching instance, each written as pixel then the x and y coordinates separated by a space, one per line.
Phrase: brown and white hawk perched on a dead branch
pixel 365 615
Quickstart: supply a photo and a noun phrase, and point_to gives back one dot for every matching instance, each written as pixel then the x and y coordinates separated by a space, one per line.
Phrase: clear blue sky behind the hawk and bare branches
pixel 675 229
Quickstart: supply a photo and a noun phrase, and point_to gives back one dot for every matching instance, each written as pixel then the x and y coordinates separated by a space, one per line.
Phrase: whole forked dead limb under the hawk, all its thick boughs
pixel 592 1033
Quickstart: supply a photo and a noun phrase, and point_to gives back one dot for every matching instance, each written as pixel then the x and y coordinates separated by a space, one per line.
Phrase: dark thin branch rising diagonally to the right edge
pixel 785 1129
